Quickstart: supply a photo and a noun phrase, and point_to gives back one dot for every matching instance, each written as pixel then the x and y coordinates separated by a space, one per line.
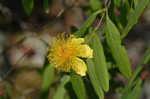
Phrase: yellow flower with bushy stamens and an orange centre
pixel 66 53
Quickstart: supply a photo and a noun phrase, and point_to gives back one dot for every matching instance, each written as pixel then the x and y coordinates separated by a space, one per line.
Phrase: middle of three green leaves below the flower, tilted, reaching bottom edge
pixel 60 92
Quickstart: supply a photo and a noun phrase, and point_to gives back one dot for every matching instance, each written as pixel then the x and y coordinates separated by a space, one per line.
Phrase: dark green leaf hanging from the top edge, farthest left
pixel 28 6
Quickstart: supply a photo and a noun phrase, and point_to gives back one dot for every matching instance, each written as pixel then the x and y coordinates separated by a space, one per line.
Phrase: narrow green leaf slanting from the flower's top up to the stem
pixel 88 23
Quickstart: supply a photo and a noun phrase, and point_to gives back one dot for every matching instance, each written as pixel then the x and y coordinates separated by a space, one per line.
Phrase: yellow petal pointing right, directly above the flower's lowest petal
pixel 85 51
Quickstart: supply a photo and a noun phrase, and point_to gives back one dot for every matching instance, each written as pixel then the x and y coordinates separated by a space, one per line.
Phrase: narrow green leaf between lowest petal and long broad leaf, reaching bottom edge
pixel 94 79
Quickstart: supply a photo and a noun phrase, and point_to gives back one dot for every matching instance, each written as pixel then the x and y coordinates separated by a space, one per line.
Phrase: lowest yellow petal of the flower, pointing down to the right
pixel 79 66
